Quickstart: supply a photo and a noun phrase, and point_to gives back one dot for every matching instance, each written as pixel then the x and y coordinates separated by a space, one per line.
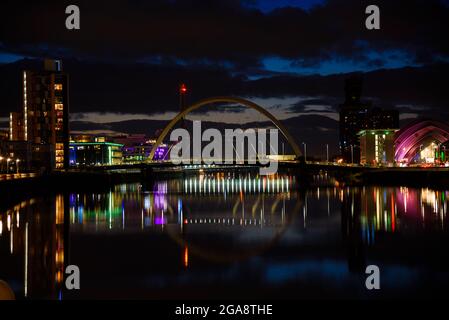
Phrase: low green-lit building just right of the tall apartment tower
pixel 88 151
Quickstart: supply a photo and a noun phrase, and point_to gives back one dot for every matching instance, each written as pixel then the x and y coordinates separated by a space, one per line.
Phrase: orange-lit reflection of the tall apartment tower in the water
pixel 34 231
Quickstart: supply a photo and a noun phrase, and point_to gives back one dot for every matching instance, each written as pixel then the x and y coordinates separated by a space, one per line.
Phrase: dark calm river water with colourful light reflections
pixel 223 236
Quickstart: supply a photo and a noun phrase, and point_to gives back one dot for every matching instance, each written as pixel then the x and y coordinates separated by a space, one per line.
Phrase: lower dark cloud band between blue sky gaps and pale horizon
pixel 149 89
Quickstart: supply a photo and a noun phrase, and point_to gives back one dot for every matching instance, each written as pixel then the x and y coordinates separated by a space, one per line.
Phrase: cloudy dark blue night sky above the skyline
pixel 292 57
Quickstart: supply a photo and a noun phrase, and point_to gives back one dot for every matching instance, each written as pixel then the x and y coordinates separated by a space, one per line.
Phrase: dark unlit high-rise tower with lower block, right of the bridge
pixel 356 116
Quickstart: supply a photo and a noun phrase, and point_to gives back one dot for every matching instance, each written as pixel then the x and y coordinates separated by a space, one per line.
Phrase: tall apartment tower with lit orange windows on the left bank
pixel 44 119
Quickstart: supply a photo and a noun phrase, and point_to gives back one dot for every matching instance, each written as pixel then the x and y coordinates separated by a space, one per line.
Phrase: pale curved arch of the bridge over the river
pixel 241 101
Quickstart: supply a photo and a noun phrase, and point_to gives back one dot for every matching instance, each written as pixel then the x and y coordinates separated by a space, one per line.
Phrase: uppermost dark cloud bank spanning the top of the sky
pixel 224 30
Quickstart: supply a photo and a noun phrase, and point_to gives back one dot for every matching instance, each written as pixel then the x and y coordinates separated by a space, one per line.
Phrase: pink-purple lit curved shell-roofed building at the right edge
pixel 410 139
